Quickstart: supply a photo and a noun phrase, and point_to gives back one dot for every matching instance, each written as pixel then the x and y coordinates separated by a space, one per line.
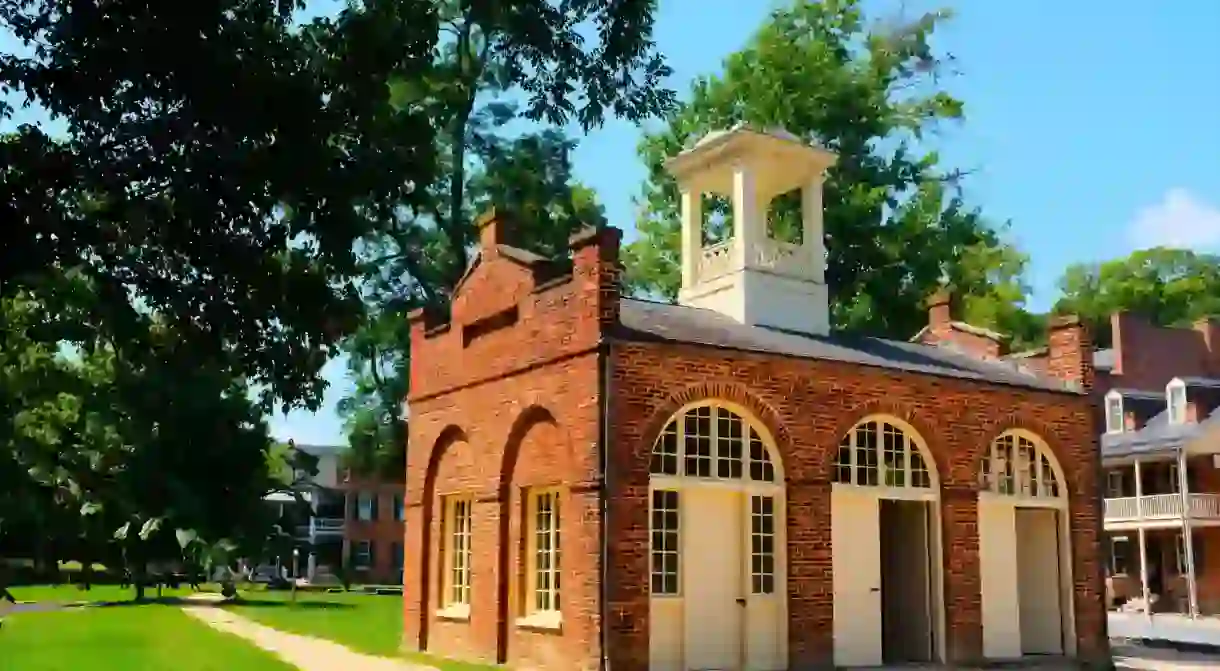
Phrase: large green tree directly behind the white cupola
pixel 896 225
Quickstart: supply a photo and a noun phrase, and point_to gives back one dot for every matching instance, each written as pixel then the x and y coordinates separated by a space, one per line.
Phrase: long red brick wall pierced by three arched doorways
pixel 809 406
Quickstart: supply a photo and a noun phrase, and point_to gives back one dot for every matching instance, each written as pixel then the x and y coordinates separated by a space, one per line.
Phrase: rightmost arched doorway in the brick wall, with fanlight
pixel 1023 552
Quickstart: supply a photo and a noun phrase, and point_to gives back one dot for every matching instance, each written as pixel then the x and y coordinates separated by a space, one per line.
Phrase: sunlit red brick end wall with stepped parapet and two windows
pixel 491 418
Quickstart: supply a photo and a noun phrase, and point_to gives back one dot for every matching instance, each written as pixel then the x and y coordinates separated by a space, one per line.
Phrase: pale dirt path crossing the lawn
pixel 307 653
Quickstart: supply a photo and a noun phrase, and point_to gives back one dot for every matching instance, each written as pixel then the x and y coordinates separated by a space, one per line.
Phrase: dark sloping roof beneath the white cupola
pixel 645 320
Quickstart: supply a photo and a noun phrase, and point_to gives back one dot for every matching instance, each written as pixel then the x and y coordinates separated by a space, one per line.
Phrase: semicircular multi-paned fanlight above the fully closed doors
pixel 712 442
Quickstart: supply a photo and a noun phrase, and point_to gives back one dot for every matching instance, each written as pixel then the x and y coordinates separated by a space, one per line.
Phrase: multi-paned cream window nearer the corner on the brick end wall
pixel 548 614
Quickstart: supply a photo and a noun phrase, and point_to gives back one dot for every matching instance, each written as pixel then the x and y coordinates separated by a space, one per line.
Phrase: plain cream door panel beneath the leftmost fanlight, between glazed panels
pixel 716 598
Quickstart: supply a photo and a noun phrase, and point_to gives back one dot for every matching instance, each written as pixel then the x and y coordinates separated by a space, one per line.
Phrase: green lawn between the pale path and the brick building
pixel 364 623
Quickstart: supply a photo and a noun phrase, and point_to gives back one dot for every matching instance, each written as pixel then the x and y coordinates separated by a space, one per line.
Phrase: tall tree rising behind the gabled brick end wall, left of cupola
pixel 500 64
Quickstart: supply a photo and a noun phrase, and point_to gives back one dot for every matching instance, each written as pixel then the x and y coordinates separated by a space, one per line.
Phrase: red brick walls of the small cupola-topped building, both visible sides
pixel 506 396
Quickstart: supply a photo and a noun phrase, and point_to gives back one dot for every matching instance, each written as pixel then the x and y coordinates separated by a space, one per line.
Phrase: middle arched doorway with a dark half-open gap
pixel 886 545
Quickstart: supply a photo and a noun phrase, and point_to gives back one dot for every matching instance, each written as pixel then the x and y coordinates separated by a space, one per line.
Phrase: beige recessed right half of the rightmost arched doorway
pixel 1038 564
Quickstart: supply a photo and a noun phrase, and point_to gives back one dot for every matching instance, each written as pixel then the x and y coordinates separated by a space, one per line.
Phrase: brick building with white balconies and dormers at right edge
pixel 1158 390
